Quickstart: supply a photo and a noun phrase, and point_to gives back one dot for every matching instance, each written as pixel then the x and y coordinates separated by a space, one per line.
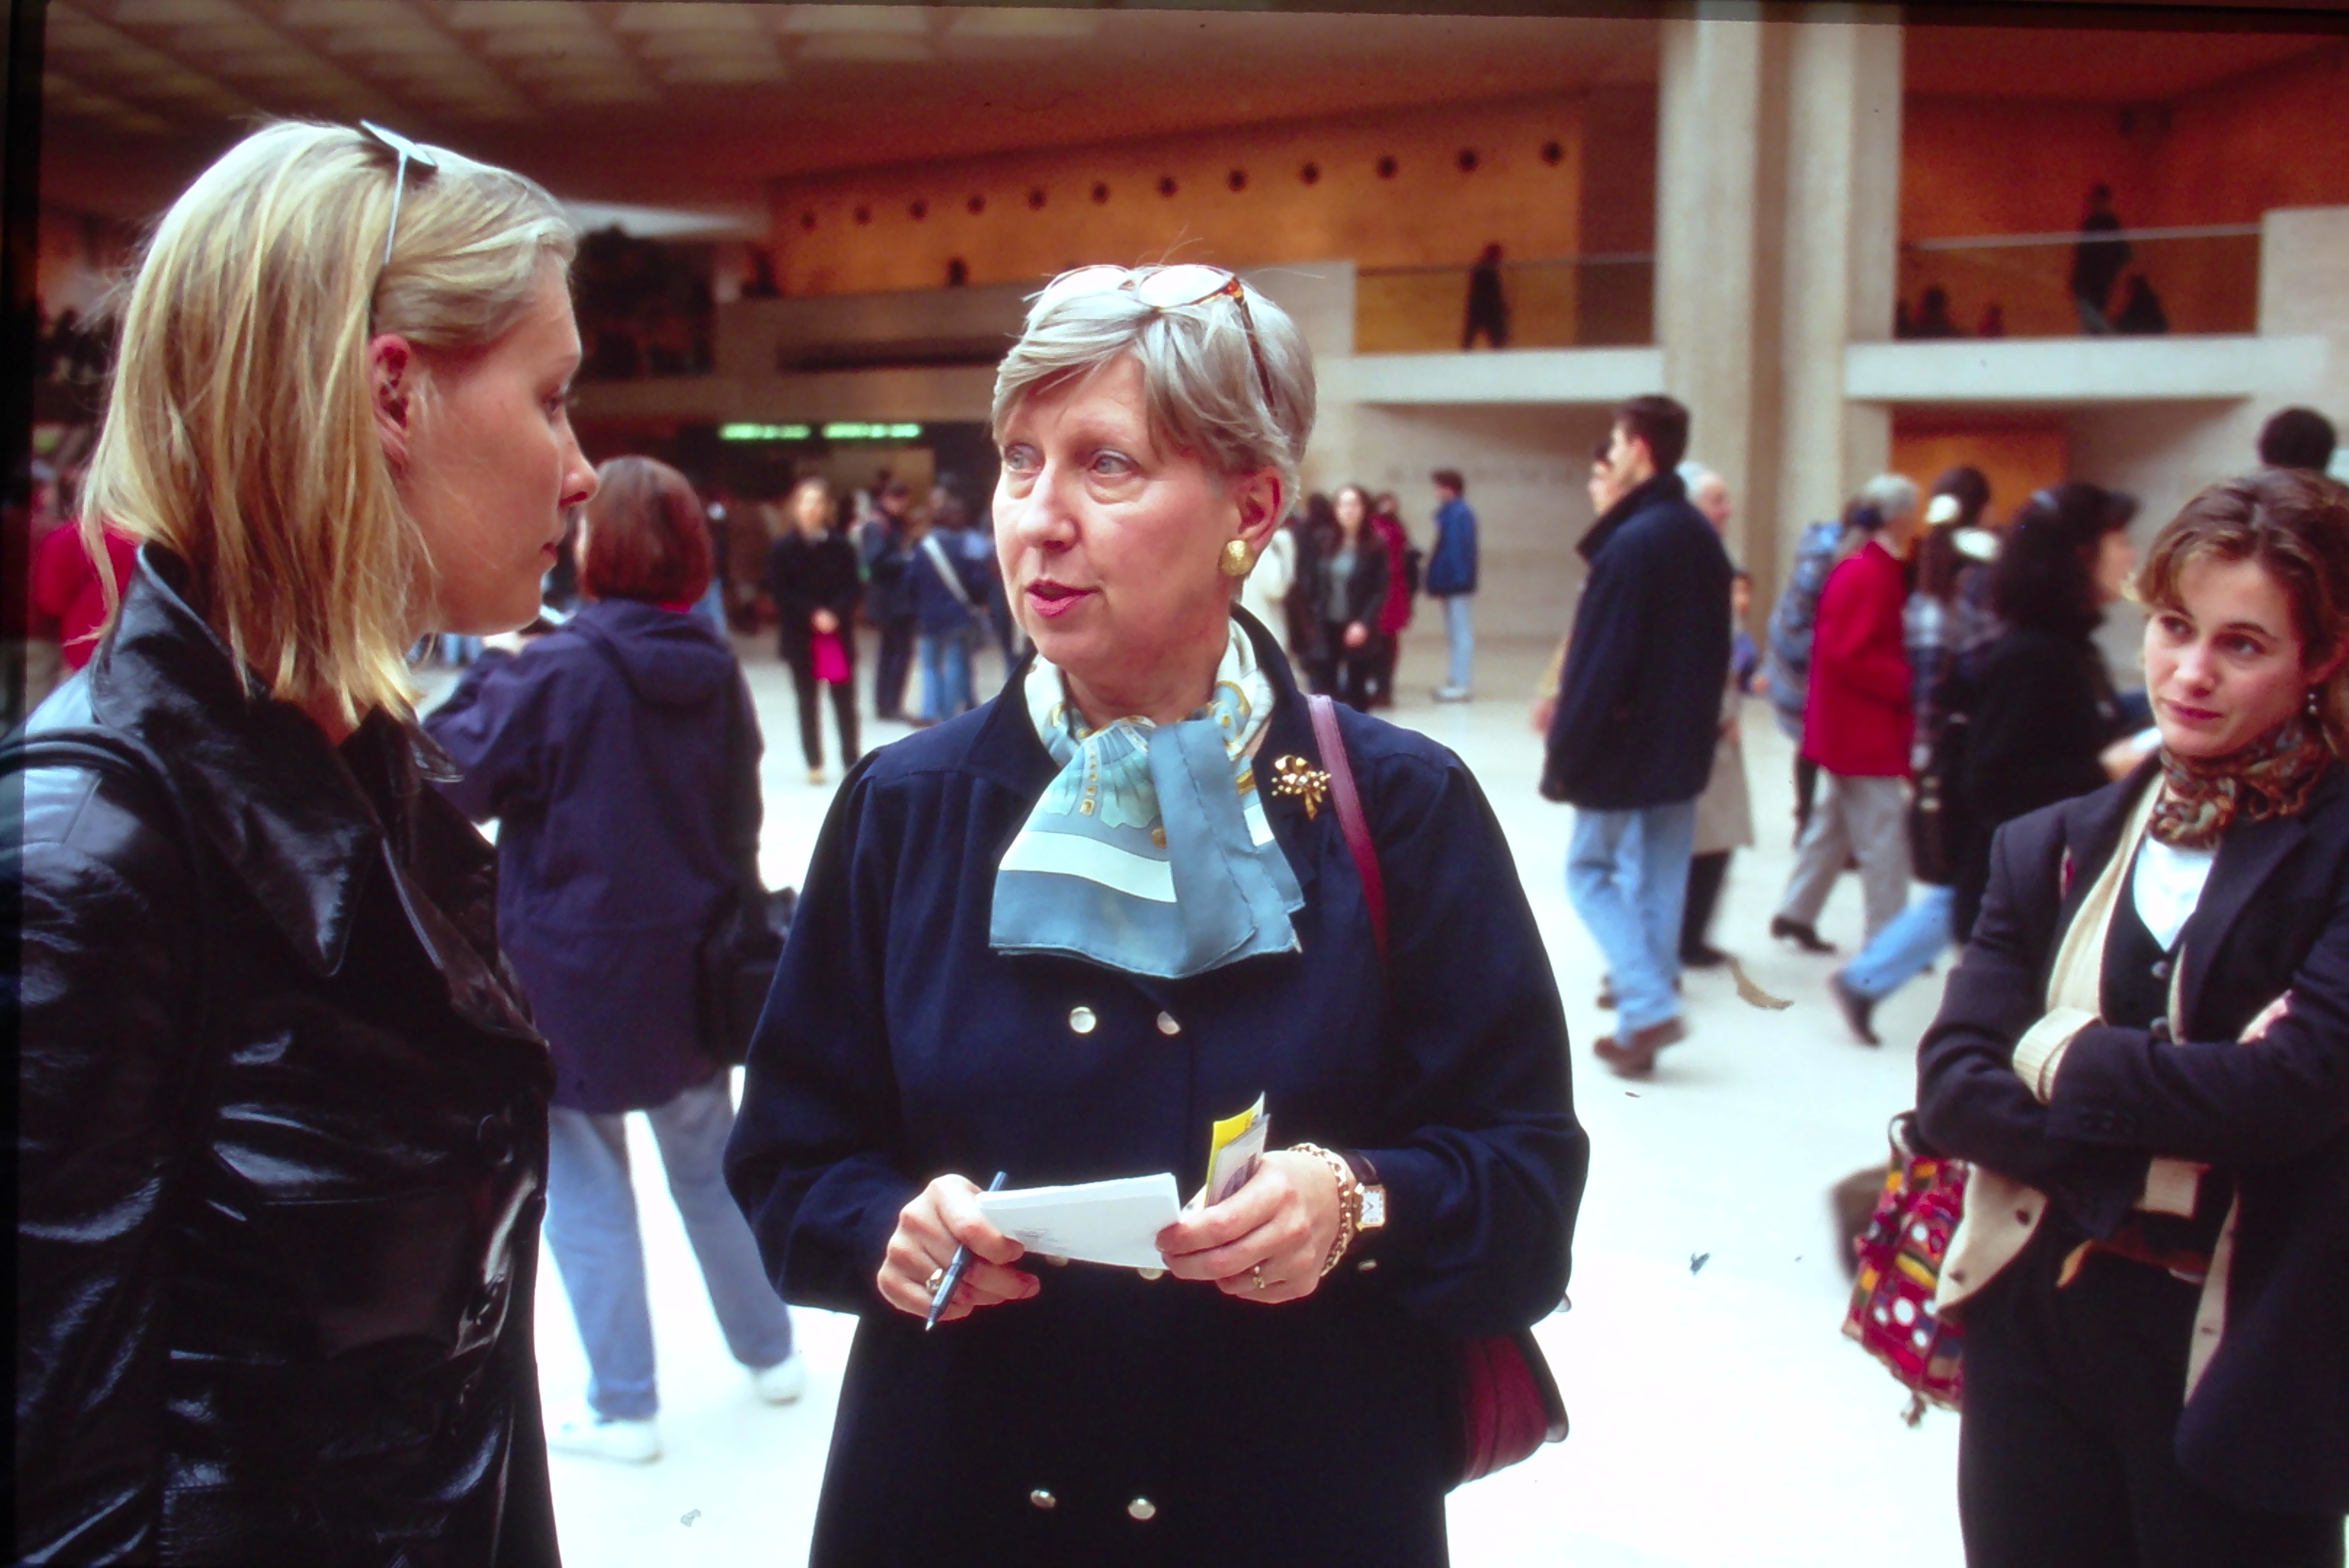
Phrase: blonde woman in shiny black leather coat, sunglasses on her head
pixel 283 1114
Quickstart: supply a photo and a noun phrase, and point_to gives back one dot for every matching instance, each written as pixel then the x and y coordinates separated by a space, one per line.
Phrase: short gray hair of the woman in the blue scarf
pixel 1199 377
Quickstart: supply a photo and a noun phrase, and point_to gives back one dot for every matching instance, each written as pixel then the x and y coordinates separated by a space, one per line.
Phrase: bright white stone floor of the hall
pixel 1718 1412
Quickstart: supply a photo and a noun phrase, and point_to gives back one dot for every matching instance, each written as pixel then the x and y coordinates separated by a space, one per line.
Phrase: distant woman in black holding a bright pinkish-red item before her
pixel 812 574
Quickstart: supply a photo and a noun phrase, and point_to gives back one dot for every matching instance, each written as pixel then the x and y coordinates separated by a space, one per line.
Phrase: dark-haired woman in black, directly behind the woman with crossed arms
pixel 2045 710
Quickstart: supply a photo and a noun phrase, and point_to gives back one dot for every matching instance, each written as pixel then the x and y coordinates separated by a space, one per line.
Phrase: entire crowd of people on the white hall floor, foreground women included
pixel 311 1065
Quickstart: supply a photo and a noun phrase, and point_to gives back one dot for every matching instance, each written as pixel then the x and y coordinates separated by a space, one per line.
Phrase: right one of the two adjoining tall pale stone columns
pixel 1840 262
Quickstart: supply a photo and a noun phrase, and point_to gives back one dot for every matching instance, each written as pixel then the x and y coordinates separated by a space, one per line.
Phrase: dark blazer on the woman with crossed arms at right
pixel 2268 1426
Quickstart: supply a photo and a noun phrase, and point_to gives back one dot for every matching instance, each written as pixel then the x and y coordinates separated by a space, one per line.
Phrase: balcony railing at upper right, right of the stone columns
pixel 2179 281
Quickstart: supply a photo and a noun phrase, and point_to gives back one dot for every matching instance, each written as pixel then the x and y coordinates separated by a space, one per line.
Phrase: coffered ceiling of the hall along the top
pixel 701 104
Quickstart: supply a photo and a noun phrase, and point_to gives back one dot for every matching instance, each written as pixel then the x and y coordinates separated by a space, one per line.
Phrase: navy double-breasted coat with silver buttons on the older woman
pixel 1117 1419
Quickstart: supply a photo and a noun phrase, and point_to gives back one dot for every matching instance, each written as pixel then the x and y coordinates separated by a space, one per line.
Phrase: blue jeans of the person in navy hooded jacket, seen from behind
pixel 593 1236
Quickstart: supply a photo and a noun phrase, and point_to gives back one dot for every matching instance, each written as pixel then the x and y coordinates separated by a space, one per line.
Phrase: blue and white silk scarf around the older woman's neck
pixel 1150 853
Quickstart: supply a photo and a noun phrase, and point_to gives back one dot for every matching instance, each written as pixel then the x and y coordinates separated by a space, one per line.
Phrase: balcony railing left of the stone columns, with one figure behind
pixel 1580 302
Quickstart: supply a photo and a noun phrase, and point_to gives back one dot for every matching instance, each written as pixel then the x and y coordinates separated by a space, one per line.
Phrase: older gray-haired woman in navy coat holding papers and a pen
pixel 1070 931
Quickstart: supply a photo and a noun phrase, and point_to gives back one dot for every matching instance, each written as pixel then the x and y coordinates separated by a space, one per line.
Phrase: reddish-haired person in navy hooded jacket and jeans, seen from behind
pixel 621 762
